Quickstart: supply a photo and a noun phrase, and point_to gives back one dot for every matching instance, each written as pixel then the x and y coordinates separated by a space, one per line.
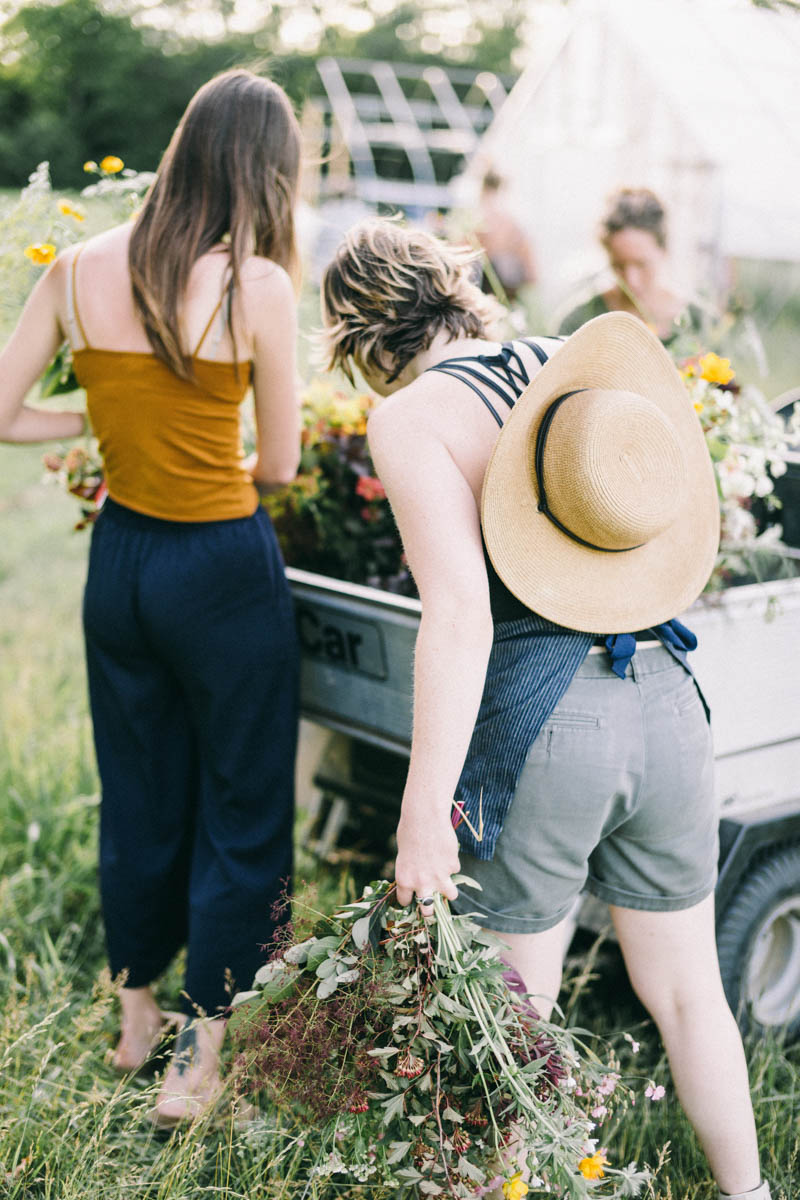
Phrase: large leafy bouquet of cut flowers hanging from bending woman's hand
pixel 419 1066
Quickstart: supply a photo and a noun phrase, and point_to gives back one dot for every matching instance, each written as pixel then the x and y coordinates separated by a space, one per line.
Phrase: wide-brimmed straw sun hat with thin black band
pixel 600 508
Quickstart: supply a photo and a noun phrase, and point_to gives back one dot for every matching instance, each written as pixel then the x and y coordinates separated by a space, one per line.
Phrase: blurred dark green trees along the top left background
pixel 81 80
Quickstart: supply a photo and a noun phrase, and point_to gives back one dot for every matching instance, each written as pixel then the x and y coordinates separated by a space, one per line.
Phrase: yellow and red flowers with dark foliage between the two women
pixel 335 519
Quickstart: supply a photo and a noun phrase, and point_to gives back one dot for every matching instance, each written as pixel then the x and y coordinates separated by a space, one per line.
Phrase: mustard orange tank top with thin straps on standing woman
pixel 171 447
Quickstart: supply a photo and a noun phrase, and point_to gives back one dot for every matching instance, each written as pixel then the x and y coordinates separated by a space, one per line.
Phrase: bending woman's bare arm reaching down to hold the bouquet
pixel 438 520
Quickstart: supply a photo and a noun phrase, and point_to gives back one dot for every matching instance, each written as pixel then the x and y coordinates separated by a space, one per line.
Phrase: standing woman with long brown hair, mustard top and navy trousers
pixel 190 635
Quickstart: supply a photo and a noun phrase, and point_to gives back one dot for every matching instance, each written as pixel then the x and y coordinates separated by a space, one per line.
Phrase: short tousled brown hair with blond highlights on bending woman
pixel 389 291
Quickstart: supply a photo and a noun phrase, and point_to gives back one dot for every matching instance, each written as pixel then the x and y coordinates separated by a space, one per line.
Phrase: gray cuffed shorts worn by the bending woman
pixel 616 796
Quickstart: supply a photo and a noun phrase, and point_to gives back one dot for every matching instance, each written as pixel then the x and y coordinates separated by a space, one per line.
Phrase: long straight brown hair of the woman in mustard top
pixel 231 171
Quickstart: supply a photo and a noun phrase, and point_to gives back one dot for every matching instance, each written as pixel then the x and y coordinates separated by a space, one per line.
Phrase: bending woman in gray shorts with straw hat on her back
pixel 552 698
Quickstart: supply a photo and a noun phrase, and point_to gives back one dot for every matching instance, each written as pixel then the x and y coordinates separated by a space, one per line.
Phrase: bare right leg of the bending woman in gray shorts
pixel 672 962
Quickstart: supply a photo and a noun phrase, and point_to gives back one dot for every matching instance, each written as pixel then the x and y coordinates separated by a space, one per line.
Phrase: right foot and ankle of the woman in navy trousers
pixel 193 1083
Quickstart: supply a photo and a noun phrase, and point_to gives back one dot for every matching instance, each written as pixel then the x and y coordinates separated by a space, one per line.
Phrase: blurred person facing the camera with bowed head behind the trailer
pixel 634 233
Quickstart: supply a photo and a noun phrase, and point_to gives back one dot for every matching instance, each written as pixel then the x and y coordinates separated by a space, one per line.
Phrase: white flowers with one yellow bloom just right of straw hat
pixel 748 443
